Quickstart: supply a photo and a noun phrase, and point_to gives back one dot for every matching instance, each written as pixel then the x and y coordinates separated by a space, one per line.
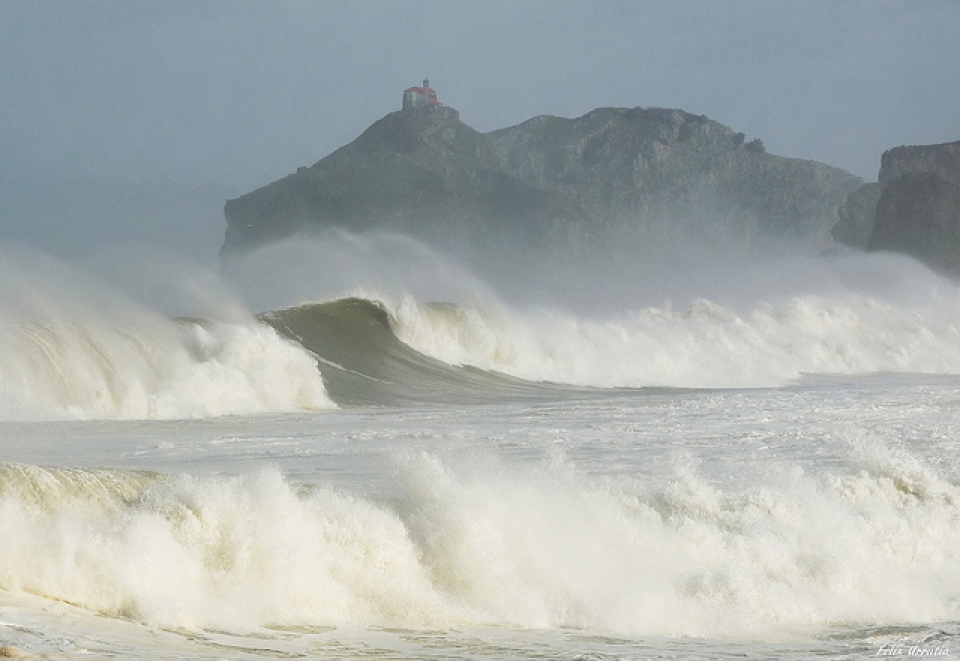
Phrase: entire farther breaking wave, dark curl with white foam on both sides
pixel 69 350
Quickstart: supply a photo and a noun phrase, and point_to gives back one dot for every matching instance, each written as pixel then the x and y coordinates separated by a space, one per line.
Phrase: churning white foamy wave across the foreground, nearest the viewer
pixel 528 547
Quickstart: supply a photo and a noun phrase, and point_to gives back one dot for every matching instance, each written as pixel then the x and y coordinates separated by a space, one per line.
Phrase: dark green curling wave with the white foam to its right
pixel 399 349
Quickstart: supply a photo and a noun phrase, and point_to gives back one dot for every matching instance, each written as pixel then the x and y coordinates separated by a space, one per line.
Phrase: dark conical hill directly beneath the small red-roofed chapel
pixel 419 171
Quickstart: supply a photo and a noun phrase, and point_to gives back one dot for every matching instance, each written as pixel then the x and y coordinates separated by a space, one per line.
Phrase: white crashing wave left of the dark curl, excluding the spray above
pixel 56 368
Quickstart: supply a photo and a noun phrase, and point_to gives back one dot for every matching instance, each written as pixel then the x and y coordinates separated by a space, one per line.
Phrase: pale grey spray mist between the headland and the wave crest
pixel 626 271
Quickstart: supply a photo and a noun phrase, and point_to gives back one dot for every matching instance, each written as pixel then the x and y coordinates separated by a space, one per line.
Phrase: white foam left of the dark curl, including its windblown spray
pixel 69 348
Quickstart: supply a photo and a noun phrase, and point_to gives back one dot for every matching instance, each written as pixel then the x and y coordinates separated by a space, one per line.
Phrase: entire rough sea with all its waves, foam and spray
pixel 356 446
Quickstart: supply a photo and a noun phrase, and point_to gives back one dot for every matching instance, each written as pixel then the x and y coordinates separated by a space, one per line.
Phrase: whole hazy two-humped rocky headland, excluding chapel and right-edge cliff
pixel 422 171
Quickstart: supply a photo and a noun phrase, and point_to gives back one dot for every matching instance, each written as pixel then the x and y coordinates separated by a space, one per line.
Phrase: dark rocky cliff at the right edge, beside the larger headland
pixel 914 209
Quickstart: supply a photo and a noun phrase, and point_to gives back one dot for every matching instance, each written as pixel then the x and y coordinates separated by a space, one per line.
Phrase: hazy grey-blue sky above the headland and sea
pixel 132 121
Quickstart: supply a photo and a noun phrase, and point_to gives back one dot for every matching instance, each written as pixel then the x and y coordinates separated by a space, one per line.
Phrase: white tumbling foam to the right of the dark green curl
pixel 701 345
